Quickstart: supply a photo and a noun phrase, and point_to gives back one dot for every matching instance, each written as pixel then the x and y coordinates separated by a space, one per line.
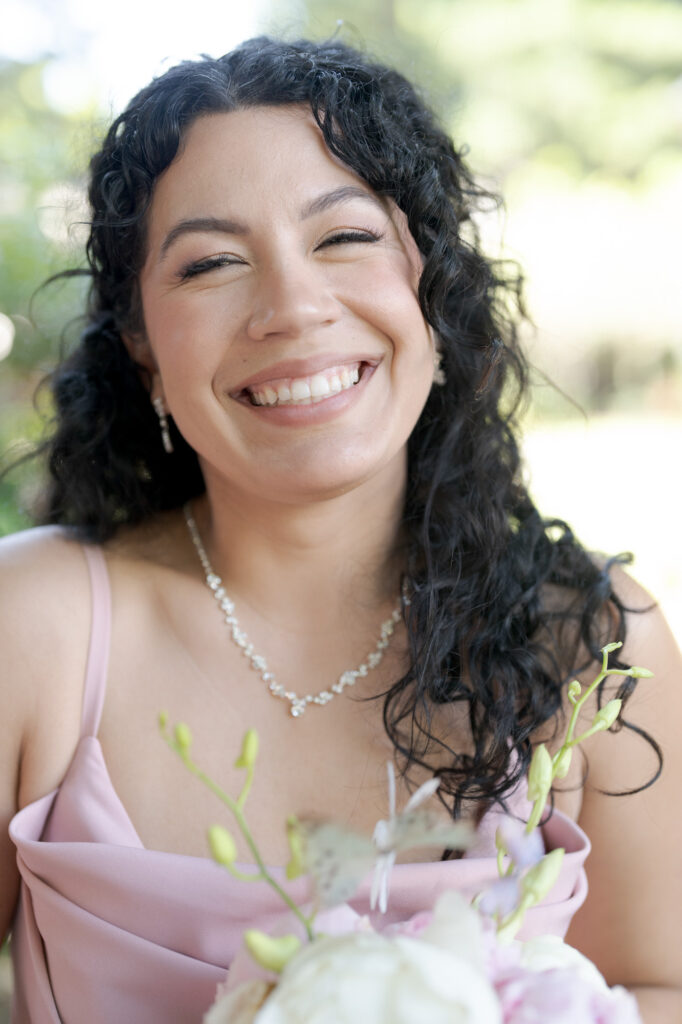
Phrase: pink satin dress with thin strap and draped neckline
pixel 108 932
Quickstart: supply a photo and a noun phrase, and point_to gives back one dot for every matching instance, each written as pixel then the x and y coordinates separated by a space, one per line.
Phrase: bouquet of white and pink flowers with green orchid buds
pixel 454 963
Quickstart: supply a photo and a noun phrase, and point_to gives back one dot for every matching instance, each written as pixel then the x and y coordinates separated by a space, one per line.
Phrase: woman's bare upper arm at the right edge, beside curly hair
pixel 630 922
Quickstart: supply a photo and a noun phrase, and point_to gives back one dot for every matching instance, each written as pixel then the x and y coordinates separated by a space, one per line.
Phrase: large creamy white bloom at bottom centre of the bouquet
pixel 369 979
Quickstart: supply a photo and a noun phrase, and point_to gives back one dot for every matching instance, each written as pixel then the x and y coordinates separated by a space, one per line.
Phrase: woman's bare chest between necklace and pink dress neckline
pixel 328 765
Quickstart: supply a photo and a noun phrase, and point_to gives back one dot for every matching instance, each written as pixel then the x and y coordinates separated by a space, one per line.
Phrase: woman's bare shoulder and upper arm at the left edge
pixel 45 612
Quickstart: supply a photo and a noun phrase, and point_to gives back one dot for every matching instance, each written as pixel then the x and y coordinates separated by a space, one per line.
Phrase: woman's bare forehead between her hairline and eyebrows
pixel 270 159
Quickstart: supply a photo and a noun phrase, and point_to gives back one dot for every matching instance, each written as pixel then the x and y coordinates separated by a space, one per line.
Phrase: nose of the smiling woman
pixel 292 300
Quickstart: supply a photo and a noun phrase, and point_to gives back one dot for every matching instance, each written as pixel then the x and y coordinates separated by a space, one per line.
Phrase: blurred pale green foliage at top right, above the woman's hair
pixel 598 82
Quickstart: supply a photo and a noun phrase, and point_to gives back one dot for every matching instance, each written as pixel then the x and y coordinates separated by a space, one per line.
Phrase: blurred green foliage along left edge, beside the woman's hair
pixel 40 193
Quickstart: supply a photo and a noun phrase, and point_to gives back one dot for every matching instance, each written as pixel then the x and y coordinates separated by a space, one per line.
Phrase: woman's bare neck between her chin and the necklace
pixel 308 563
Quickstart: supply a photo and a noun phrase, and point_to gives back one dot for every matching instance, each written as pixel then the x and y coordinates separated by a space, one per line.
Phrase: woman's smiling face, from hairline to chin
pixel 281 313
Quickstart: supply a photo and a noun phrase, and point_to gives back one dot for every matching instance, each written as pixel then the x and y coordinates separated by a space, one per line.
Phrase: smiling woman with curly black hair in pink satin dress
pixel 293 330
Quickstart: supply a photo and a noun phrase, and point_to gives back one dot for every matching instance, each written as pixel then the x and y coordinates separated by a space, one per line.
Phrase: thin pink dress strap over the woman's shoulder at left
pixel 101 631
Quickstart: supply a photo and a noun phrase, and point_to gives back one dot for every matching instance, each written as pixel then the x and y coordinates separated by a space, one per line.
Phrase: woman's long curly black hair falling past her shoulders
pixel 505 607
